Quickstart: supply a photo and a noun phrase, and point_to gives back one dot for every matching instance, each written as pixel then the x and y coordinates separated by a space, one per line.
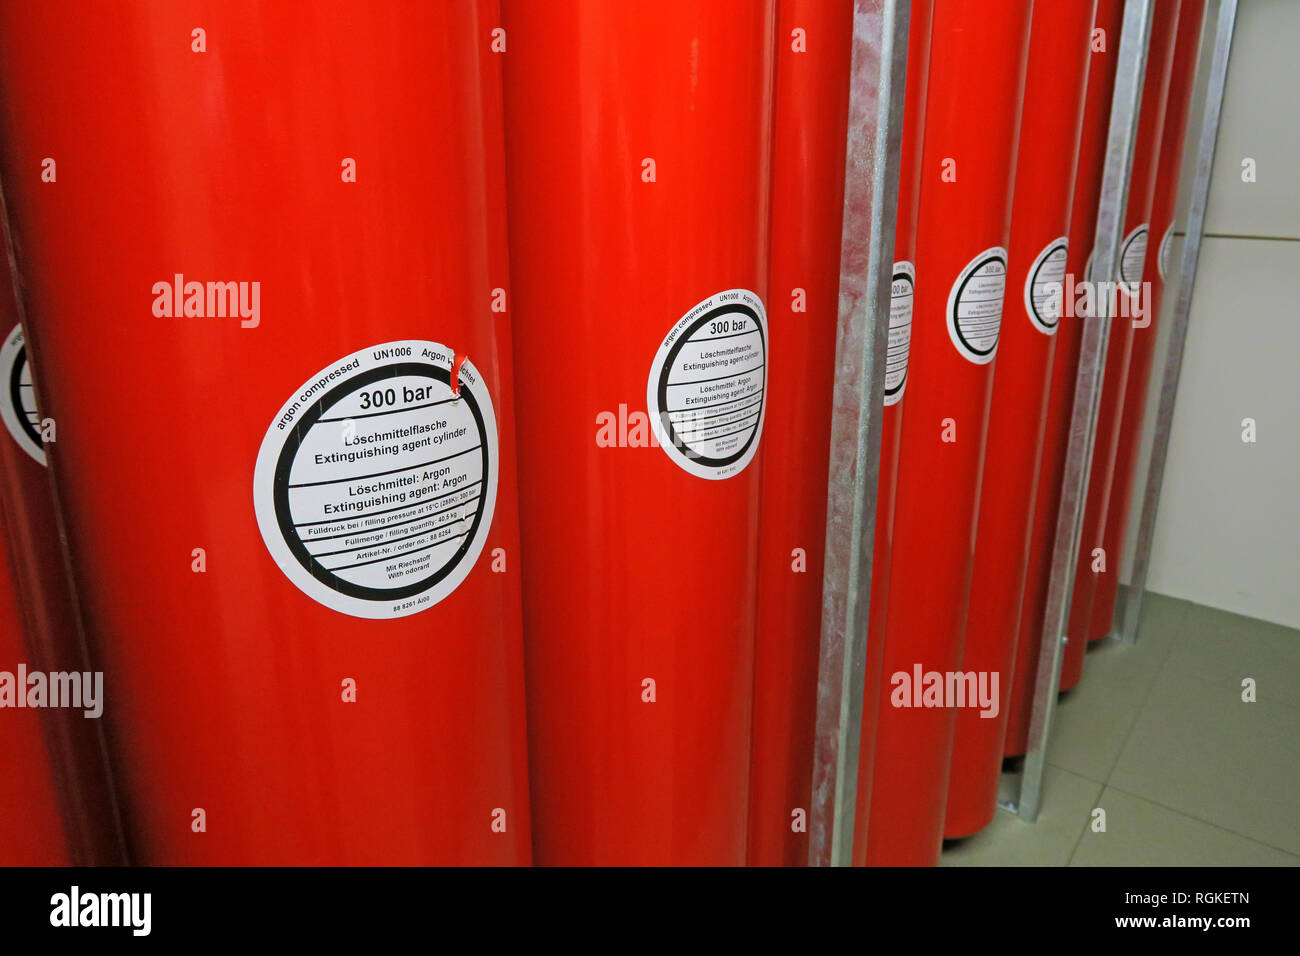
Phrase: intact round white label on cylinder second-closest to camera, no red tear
pixel 708 387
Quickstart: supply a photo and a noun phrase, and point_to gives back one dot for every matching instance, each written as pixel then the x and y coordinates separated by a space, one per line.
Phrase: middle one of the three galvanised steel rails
pixel 1087 393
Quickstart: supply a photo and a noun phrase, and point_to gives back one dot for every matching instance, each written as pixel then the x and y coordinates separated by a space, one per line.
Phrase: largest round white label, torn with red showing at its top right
pixel 376 482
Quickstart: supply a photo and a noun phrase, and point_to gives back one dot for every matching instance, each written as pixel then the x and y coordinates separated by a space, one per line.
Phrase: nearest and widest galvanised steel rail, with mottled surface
pixel 866 269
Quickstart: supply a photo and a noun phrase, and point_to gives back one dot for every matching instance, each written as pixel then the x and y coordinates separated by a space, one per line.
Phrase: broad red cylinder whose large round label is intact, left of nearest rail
pixel 640 257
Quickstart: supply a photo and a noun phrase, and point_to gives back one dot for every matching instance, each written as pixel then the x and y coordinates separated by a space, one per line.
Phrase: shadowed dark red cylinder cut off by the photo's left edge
pixel 46 629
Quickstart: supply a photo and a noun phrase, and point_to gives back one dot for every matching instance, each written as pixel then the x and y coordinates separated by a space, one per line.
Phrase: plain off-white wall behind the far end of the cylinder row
pixel 1229 527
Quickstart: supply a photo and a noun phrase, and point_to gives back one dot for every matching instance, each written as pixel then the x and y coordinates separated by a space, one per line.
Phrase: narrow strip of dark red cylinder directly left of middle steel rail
pixel 1056 429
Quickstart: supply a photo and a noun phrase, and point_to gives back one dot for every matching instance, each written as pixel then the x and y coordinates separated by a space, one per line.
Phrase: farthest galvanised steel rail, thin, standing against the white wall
pixel 1129 616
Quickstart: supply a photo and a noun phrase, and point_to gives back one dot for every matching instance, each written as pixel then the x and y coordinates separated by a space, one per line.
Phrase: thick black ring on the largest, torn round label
pixel 285 466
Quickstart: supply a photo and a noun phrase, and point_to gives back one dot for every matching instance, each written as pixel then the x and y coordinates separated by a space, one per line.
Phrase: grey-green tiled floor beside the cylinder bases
pixel 1158 736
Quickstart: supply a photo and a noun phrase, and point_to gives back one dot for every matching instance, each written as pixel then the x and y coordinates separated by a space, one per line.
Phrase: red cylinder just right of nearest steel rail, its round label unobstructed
pixel 973 116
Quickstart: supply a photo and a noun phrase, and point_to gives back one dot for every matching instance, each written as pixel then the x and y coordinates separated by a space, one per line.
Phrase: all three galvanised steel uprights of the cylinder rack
pixel 870 201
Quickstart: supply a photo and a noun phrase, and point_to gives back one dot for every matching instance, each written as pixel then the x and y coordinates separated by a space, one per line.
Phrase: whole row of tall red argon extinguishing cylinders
pixel 566 200
